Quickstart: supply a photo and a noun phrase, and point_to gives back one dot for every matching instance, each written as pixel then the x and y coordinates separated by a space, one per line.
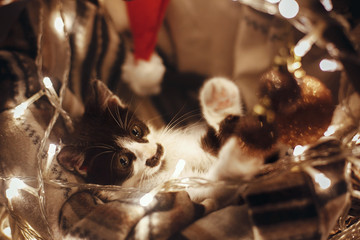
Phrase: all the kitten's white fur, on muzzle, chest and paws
pixel 219 97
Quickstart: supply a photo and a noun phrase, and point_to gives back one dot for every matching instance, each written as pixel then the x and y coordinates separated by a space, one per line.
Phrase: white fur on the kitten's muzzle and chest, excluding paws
pixel 178 144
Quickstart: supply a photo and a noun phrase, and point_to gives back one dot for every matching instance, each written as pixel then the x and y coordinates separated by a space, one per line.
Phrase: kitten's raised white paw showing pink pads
pixel 219 97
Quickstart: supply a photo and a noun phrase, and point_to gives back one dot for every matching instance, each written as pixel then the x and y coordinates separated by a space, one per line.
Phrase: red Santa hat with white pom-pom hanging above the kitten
pixel 143 69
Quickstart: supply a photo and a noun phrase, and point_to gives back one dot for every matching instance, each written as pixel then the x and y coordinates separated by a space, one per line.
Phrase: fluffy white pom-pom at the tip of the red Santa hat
pixel 144 77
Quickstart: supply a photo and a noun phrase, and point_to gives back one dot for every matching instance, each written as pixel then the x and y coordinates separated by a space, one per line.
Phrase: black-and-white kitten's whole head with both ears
pixel 112 146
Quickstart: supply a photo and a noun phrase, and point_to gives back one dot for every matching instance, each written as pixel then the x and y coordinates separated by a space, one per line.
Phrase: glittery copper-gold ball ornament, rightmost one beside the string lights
pixel 306 120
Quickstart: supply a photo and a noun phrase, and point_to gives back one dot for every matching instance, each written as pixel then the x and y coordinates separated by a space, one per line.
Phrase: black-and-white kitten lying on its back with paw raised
pixel 112 146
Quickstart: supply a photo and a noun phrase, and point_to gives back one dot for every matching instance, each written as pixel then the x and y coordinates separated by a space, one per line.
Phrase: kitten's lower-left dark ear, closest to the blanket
pixel 72 159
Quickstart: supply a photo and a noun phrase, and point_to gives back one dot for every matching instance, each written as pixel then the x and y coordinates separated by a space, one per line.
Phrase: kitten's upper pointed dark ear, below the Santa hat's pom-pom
pixel 100 97
